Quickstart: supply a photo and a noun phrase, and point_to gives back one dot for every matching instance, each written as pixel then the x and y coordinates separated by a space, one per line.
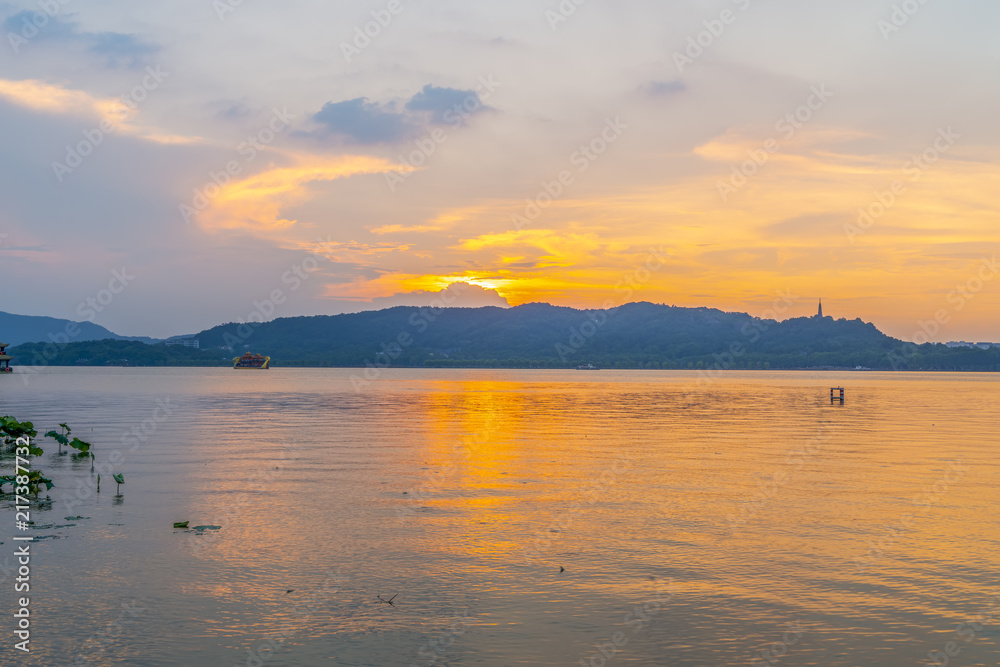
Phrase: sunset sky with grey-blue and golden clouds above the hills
pixel 166 167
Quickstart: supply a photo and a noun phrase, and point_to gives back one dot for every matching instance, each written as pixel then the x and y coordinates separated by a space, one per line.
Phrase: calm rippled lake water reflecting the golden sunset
pixel 743 521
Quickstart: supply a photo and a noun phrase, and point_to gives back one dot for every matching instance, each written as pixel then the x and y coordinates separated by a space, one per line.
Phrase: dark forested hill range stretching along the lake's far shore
pixel 638 335
